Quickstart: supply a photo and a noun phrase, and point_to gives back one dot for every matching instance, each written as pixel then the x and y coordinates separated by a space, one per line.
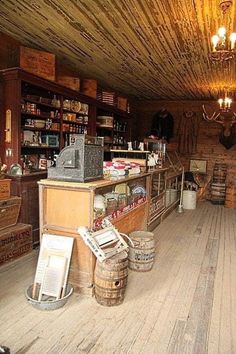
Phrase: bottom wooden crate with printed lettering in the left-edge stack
pixel 15 241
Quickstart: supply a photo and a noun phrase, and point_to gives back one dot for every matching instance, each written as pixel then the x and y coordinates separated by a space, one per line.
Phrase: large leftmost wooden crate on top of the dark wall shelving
pixel 38 62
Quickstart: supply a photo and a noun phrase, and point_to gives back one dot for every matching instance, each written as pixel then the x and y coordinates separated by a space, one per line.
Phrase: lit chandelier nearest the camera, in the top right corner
pixel 223 46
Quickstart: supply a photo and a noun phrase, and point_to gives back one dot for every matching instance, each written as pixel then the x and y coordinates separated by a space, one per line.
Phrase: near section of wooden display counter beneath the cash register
pixel 79 210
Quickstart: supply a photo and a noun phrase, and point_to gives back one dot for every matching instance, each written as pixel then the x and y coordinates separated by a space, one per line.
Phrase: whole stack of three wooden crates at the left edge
pixel 15 238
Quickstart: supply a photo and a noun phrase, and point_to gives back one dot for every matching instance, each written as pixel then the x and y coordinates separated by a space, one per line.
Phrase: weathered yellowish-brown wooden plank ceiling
pixel 151 49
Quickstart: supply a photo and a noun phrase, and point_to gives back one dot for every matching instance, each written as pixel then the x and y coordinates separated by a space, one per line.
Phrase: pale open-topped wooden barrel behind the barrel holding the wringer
pixel 142 252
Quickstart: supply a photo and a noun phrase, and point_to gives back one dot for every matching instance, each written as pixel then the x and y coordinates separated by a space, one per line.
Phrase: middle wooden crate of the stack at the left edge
pixel 9 211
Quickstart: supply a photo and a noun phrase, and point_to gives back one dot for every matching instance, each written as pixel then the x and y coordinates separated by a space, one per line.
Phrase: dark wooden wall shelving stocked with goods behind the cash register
pixel 45 116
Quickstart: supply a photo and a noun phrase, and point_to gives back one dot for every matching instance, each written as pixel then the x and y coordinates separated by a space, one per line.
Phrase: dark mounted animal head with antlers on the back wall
pixel 227 119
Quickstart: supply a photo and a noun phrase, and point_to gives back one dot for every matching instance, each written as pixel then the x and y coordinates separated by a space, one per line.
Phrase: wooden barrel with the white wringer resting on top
pixel 110 280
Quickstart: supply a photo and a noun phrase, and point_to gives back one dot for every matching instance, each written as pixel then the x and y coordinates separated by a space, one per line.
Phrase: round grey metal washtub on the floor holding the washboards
pixel 48 305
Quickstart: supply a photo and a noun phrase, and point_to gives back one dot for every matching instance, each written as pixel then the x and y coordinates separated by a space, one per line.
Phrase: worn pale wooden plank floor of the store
pixel 186 304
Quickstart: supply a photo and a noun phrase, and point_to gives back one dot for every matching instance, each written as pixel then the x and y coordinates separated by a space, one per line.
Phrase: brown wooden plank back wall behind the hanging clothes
pixel 208 146
